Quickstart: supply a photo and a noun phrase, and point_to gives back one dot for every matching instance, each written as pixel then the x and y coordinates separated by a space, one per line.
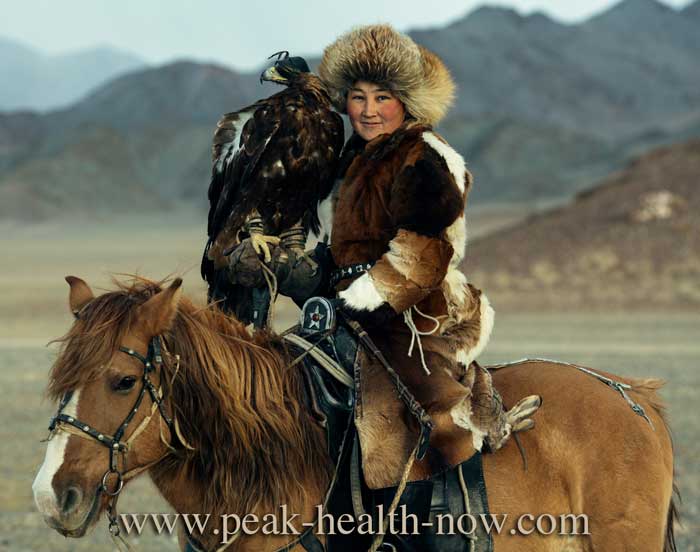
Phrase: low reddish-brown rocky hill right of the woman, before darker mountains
pixel 633 241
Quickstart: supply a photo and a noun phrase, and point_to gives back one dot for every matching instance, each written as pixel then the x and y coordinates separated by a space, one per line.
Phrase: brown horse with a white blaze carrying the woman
pixel 223 431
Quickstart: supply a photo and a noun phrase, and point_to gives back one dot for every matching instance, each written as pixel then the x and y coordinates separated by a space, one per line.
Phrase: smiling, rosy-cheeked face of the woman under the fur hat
pixel 373 110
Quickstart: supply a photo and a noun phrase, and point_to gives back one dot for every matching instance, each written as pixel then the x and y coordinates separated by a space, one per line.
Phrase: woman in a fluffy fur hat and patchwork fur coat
pixel 397 235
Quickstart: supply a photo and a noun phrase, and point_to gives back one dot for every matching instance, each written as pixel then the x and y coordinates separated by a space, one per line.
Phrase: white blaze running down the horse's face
pixel 44 494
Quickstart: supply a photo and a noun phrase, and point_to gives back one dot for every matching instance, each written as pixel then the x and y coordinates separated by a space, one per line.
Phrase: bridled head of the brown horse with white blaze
pixel 108 378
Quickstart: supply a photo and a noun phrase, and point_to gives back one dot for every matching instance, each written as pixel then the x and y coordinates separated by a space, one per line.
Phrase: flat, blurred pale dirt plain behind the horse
pixel 33 311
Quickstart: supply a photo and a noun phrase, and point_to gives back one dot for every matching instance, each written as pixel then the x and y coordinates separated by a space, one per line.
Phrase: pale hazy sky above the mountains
pixel 237 33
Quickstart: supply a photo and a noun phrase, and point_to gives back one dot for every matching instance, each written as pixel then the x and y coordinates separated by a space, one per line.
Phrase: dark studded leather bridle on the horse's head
pixel 118 447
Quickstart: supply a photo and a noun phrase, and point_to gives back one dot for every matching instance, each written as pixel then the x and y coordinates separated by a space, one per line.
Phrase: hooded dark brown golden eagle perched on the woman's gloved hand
pixel 273 162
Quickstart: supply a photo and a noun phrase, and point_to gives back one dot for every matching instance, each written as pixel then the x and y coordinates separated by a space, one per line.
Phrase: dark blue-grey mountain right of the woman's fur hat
pixel 546 109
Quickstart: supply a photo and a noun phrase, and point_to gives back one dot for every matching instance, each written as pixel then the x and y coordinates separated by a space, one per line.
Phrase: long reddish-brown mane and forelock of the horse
pixel 236 400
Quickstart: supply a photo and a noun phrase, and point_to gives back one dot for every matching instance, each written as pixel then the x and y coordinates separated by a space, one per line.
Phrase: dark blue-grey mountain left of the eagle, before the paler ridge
pixel 140 141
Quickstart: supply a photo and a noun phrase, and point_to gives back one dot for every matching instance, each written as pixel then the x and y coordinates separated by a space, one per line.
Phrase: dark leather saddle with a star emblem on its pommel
pixel 329 351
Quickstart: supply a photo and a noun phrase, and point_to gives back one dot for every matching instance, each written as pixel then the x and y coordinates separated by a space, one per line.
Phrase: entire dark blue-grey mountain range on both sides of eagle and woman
pixel 544 110
